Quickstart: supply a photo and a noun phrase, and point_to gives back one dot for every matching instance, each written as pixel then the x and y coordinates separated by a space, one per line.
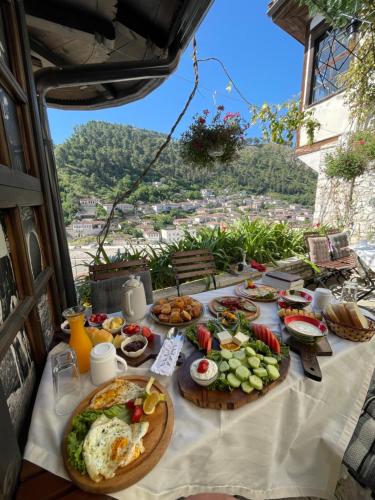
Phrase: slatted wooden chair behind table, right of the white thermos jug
pixel 193 264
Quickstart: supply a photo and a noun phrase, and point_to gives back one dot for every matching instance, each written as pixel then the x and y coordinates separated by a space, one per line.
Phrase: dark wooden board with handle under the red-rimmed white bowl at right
pixel 309 353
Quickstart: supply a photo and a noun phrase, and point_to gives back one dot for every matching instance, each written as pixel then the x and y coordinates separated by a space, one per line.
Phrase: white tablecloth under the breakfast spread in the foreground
pixel 289 443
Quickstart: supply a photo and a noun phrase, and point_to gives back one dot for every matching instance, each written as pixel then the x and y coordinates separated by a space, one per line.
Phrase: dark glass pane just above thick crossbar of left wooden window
pixel 13 132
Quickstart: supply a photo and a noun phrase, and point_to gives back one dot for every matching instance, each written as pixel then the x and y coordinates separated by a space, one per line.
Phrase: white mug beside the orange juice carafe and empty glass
pixel 104 363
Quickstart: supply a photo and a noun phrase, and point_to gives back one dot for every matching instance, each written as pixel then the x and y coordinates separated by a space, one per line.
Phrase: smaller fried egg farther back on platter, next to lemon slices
pixel 120 391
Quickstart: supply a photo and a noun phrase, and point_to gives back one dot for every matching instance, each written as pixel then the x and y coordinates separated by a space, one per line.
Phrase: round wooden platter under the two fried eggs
pixel 155 442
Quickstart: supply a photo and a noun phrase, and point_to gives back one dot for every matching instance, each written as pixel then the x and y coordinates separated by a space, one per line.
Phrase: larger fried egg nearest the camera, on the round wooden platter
pixel 110 444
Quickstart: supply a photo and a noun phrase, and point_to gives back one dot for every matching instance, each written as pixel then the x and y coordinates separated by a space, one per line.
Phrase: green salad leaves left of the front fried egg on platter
pixel 80 427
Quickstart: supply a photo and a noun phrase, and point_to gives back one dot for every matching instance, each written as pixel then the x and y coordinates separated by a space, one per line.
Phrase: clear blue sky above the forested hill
pixel 263 61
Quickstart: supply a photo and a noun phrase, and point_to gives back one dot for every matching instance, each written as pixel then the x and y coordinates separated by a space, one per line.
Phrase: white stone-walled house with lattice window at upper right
pixel 326 58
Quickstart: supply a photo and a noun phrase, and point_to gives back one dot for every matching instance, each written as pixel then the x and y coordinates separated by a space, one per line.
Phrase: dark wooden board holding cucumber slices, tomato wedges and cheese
pixel 220 400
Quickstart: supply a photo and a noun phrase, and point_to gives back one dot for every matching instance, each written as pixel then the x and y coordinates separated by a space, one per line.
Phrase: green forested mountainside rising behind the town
pixel 100 158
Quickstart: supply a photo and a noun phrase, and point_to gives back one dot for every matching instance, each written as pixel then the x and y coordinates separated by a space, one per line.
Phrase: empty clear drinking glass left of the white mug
pixel 66 381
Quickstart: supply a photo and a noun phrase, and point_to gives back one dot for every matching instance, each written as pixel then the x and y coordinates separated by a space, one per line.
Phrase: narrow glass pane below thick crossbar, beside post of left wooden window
pixel 32 239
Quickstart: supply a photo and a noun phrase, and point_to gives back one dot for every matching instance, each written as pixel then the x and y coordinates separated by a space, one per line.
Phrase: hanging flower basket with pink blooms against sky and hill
pixel 204 143
